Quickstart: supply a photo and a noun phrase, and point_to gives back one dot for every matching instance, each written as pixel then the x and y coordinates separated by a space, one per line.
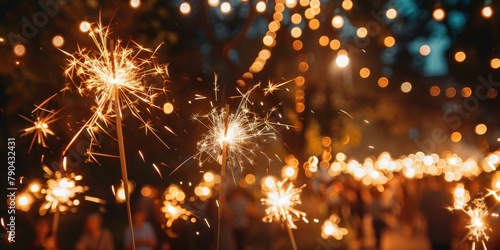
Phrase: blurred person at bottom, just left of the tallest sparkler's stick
pixel 95 237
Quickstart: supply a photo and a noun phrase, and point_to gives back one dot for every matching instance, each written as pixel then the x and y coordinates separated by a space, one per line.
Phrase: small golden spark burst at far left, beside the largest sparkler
pixel 42 118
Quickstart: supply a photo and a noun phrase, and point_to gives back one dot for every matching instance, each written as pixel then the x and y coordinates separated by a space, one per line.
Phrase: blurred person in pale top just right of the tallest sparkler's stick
pixel 144 234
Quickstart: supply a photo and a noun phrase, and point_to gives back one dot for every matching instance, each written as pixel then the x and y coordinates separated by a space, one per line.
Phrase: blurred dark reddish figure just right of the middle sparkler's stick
pixel 240 203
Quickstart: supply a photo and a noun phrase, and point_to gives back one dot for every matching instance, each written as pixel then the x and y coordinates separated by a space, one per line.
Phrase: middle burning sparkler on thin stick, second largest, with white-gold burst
pixel 231 138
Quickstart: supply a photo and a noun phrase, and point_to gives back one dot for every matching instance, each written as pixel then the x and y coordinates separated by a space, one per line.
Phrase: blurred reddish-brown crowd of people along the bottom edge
pixel 411 206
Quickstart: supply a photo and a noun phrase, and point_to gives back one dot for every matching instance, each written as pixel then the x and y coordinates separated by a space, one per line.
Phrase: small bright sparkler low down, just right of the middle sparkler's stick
pixel 281 198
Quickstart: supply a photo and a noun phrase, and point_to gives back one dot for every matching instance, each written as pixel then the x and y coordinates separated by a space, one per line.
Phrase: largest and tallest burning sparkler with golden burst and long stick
pixel 116 77
